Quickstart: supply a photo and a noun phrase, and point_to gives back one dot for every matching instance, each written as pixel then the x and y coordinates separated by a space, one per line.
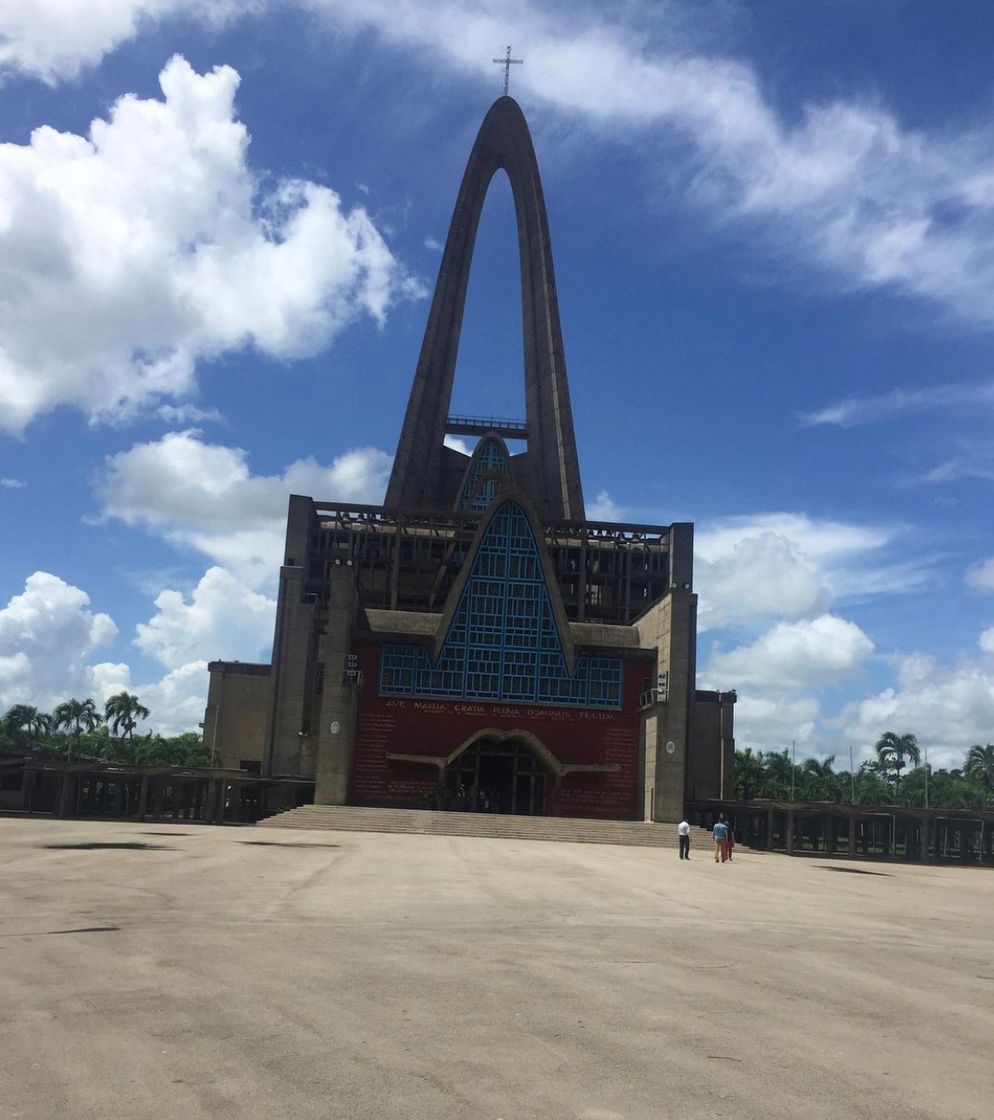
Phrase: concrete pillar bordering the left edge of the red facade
pixel 335 736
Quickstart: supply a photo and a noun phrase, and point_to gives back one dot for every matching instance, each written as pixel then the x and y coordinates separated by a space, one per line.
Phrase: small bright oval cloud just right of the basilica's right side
pixel 810 654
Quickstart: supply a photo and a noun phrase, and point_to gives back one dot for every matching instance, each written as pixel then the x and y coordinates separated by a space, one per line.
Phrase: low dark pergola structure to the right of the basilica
pixel 833 829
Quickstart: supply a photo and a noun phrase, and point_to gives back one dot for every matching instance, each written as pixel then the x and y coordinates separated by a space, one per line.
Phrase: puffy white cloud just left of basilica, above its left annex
pixel 222 619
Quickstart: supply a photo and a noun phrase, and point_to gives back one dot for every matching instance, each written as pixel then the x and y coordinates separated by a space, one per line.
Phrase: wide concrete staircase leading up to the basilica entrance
pixel 351 819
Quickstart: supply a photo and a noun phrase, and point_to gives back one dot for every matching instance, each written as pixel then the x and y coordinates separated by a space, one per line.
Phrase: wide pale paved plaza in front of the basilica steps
pixel 152 973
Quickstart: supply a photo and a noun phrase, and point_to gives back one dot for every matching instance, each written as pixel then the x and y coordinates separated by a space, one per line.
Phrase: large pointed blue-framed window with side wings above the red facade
pixel 503 643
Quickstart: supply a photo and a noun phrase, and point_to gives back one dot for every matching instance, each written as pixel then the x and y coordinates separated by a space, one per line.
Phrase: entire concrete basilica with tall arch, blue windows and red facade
pixel 476 642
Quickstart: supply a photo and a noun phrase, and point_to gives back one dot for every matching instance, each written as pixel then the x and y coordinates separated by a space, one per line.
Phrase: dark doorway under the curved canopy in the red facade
pixel 498 778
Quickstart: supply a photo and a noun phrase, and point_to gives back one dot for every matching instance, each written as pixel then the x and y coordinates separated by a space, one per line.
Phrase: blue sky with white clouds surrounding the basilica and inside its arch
pixel 774 234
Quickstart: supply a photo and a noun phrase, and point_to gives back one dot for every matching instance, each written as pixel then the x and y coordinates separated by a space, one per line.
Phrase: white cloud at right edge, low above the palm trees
pixel 948 707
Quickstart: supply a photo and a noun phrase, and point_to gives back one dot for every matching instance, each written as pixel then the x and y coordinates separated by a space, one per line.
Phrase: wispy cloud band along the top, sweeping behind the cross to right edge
pixel 841 184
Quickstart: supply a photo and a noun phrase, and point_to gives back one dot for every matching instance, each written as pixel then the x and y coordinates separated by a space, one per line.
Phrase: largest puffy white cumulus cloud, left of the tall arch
pixel 129 255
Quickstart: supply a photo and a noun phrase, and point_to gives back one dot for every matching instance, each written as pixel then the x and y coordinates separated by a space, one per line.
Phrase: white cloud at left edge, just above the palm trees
pixel 48 637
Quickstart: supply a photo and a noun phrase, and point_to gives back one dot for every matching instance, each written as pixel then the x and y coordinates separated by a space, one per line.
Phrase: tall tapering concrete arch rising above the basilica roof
pixel 417 480
